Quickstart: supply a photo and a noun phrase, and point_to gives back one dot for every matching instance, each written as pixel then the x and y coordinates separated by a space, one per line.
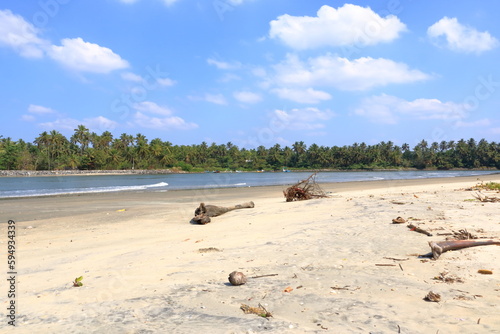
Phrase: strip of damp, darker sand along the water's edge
pixel 38 207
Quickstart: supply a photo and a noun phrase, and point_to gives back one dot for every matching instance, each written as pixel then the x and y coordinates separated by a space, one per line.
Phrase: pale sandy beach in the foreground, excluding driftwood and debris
pixel 332 265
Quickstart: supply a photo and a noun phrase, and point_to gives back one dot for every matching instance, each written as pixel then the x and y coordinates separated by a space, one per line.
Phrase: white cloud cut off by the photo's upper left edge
pixel 22 36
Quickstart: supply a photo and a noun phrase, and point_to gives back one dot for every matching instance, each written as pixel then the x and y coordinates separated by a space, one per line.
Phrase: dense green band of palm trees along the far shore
pixel 85 150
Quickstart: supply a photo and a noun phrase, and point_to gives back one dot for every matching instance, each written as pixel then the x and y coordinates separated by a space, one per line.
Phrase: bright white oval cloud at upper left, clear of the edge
pixel 79 55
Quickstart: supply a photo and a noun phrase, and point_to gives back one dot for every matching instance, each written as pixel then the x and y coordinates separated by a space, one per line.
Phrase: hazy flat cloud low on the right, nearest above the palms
pixel 388 109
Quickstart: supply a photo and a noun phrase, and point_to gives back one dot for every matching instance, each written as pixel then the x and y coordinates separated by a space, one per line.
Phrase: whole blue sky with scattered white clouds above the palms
pixel 252 72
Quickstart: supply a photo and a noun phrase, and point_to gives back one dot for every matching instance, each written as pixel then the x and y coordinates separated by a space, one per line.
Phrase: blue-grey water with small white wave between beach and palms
pixel 57 185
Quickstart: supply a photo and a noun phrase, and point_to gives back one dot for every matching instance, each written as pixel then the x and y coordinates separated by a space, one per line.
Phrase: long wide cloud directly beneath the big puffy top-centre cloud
pixel 344 74
